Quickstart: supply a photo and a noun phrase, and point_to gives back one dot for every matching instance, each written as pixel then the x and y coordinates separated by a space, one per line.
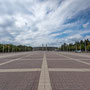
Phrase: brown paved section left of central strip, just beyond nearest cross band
pixel 22 64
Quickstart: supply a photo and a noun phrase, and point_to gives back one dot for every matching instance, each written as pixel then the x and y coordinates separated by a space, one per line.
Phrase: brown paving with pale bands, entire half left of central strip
pixel 20 72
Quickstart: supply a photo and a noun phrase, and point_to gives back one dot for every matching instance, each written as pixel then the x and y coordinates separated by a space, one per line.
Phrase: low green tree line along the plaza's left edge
pixel 14 48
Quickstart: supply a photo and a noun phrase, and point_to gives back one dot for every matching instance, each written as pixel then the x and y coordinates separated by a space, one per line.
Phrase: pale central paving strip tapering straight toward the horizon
pixel 44 81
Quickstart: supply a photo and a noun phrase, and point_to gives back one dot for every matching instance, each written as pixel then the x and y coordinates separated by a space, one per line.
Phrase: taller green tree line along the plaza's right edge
pixel 79 45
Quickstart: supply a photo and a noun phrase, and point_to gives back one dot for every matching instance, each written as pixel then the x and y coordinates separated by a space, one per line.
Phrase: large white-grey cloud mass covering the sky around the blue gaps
pixel 32 21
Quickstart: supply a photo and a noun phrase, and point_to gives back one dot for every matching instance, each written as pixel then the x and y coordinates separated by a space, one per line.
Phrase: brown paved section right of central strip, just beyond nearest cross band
pixel 66 64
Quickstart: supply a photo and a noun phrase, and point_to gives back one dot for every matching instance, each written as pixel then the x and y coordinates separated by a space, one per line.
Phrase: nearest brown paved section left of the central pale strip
pixel 19 81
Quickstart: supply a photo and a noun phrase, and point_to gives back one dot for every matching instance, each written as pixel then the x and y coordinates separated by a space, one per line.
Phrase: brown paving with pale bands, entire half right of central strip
pixel 68 71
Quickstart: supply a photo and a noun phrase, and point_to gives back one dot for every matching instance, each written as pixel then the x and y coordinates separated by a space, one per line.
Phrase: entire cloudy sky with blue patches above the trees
pixel 37 22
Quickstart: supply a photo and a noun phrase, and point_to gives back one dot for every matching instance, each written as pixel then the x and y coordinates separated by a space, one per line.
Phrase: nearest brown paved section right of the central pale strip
pixel 70 80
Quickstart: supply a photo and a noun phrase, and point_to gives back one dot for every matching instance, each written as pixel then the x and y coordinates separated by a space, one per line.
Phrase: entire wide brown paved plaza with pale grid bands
pixel 45 70
